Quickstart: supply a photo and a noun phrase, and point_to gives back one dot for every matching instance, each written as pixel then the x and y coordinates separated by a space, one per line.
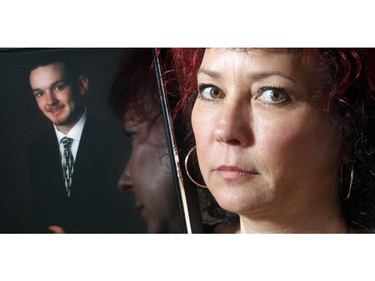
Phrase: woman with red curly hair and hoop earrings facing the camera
pixel 285 138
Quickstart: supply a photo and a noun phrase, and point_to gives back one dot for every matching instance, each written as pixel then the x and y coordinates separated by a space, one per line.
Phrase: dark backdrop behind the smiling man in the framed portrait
pixel 21 121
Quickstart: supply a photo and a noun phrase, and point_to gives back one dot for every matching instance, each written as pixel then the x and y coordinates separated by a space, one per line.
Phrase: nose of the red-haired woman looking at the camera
pixel 233 124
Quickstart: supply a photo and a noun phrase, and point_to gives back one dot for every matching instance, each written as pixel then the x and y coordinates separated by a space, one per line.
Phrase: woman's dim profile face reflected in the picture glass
pixel 148 173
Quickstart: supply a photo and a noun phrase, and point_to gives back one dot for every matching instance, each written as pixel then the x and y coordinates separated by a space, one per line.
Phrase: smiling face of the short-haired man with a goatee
pixel 58 98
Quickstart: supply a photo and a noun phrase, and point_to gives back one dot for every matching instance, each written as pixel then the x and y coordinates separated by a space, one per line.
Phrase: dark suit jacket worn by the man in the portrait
pixel 95 204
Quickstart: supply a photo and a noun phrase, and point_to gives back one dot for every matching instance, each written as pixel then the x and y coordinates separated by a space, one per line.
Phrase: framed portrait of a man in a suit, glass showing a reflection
pixel 118 174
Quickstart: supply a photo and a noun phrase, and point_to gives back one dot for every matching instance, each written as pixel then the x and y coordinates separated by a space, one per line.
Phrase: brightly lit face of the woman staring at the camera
pixel 264 145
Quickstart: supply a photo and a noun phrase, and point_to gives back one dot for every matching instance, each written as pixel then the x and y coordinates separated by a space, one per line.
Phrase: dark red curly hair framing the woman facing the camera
pixel 348 84
